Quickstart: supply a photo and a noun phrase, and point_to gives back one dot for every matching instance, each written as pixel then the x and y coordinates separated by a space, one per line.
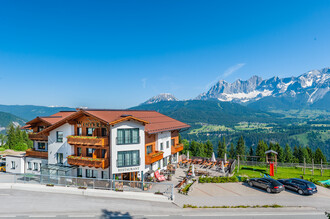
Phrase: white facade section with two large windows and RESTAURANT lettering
pixel 115 148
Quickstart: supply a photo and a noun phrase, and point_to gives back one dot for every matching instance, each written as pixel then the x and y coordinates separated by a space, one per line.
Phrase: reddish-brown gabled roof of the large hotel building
pixel 154 122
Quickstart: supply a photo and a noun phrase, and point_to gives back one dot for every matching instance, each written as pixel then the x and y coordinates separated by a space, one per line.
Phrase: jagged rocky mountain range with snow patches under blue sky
pixel 309 90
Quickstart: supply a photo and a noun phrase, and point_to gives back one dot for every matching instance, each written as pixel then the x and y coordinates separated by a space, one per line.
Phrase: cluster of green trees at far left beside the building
pixel 15 139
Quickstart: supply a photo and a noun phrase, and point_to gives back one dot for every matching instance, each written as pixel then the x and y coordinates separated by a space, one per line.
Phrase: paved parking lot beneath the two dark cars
pixel 220 194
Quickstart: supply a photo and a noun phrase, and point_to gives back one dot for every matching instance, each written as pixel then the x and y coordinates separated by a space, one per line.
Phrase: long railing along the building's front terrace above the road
pixel 167 189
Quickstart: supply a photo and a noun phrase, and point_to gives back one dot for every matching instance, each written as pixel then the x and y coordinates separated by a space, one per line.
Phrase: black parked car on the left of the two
pixel 269 184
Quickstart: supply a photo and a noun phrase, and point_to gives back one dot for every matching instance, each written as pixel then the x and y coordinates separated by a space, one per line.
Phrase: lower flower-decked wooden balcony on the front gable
pixel 88 162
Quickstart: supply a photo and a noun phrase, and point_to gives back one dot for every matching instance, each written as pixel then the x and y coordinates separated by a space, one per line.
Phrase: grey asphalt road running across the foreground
pixel 23 204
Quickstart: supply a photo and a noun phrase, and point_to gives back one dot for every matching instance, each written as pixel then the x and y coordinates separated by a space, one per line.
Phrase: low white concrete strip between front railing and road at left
pixel 87 192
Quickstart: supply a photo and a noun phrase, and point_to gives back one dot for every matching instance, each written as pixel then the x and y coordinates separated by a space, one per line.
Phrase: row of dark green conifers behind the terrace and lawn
pixel 285 155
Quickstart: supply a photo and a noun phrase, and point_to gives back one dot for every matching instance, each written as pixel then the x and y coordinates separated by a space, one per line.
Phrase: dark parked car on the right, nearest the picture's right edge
pixel 303 187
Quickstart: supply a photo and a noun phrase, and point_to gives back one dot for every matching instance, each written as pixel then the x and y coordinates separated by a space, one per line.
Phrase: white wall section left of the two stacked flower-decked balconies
pixel 55 147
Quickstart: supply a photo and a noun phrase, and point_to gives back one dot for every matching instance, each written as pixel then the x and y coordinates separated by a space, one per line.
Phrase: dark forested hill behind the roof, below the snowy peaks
pixel 209 111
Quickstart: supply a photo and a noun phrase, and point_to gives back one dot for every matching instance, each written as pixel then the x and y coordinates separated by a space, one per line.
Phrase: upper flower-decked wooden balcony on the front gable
pixel 88 140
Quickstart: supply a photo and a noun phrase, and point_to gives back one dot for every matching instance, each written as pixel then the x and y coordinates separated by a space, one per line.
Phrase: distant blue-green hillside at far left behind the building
pixel 29 112
